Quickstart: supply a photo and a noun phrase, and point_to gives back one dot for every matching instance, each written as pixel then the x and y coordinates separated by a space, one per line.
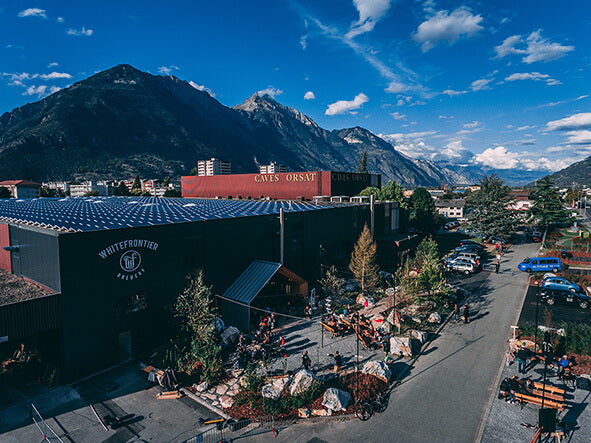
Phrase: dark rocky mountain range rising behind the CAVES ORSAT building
pixel 122 122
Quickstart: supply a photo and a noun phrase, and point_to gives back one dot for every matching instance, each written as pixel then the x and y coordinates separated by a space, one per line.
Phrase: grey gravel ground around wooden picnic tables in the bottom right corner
pixel 505 419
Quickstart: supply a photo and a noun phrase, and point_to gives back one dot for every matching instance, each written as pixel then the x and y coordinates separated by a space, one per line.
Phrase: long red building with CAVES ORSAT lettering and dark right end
pixel 280 186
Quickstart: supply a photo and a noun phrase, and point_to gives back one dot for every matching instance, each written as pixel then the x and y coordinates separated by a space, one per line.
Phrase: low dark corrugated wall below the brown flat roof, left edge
pixel 23 319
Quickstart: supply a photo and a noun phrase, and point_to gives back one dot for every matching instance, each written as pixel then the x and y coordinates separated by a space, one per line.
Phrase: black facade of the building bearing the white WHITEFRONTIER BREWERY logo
pixel 115 287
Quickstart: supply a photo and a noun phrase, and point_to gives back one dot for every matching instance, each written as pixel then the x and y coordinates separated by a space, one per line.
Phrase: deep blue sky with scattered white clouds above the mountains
pixel 501 84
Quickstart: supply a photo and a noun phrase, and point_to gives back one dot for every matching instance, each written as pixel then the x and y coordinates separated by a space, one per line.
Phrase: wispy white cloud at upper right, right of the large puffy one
pixel 534 48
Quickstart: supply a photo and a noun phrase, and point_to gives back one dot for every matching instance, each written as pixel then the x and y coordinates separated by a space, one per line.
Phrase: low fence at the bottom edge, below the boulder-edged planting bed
pixel 233 430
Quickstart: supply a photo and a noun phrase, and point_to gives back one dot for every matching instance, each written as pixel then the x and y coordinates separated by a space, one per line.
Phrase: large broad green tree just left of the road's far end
pixel 490 215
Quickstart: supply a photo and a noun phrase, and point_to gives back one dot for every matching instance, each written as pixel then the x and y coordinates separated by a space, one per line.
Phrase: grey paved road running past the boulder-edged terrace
pixel 447 392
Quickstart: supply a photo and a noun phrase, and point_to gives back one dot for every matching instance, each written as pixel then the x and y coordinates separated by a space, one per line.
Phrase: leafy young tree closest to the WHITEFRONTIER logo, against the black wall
pixel 198 341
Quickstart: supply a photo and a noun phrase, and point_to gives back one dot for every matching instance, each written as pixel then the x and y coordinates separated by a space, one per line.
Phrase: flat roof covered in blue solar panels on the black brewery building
pixel 102 213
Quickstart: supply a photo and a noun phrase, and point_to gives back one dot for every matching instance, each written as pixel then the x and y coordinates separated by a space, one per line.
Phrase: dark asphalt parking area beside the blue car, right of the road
pixel 559 313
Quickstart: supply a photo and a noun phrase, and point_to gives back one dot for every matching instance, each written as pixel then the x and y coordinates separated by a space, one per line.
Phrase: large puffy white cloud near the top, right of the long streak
pixel 444 26
